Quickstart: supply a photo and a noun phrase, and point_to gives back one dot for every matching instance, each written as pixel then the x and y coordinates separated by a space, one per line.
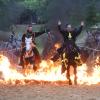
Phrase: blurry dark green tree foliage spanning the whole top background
pixel 72 11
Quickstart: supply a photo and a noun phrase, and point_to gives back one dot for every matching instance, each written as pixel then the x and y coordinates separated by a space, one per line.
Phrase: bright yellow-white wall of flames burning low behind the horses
pixel 48 71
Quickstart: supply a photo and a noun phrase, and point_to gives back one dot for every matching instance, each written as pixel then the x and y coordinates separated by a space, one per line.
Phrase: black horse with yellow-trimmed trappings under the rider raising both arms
pixel 70 57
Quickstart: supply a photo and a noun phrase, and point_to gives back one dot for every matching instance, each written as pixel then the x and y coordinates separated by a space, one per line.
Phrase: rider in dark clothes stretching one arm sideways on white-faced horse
pixel 30 35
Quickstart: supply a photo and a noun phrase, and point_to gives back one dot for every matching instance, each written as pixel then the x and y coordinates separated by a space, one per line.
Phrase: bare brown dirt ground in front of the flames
pixel 49 92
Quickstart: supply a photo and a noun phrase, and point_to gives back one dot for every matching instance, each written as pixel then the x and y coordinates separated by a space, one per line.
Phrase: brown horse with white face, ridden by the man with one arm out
pixel 30 59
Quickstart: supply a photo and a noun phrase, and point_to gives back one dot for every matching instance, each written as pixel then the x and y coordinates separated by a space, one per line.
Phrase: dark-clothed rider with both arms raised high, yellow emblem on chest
pixel 69 34
